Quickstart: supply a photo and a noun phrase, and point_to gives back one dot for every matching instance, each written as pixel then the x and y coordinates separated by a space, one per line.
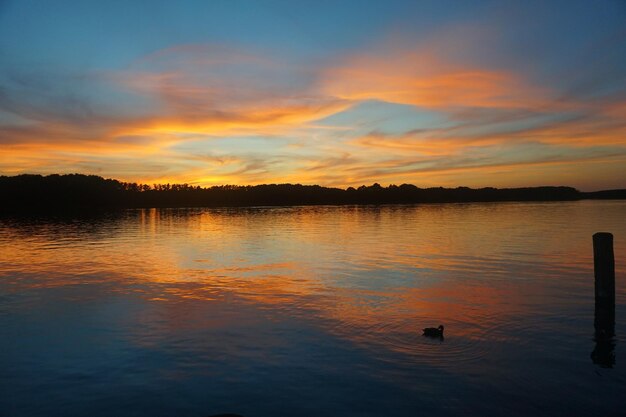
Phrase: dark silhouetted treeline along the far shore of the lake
pixel 77 192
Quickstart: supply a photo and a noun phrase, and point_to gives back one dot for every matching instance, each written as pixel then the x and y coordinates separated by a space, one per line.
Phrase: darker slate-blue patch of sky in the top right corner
pixel 557 43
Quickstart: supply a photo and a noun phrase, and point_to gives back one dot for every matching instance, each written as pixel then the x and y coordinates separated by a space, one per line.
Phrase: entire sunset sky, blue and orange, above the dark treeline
pixel 336 93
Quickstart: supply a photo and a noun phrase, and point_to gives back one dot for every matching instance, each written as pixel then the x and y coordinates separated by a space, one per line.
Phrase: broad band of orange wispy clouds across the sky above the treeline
pixel 180 113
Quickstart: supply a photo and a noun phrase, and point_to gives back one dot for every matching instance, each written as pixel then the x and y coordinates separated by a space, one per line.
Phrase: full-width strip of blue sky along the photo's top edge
pixel 110 34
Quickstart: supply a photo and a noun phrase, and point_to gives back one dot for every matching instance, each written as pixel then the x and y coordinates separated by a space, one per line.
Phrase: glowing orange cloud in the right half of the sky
pixel 426 79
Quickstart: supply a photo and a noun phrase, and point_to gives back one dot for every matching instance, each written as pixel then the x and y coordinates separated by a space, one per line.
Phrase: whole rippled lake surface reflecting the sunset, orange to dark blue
pixel 310 311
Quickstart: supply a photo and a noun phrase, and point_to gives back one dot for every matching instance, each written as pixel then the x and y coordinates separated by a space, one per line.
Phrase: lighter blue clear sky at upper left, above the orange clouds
pixel 110 34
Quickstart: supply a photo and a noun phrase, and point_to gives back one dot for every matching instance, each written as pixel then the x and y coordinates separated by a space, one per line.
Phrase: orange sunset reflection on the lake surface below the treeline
pixel 371 275
